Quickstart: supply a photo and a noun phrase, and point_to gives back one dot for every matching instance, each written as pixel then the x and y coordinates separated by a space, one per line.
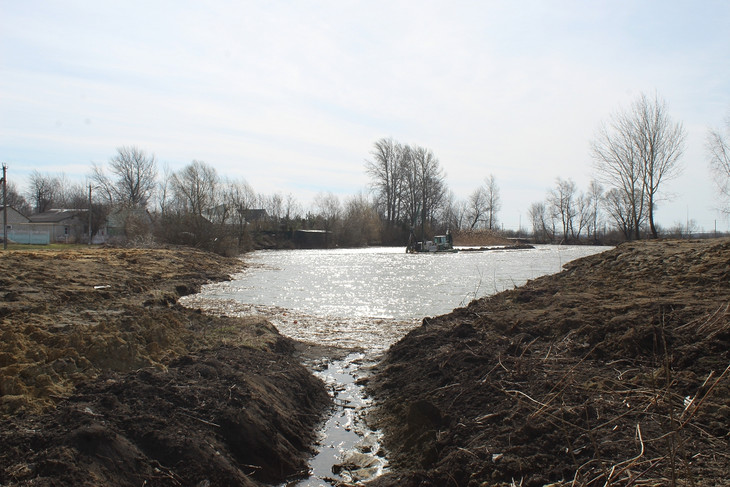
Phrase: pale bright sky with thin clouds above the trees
pixel 291 96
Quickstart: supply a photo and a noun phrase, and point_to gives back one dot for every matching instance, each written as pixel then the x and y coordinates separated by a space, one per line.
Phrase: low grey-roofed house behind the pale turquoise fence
pixel 57 226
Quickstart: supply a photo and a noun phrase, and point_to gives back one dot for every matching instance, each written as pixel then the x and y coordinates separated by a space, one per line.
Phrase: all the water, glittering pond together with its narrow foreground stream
pixel 366 299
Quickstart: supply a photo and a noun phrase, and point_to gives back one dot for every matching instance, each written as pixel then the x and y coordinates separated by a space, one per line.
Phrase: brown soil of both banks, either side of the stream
pixel 613 372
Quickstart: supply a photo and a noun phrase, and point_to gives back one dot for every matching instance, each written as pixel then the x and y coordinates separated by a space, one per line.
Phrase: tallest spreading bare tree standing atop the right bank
pixel 639 150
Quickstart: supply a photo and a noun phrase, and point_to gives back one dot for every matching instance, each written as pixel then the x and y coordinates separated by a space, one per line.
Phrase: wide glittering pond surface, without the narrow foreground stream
pixel 369 298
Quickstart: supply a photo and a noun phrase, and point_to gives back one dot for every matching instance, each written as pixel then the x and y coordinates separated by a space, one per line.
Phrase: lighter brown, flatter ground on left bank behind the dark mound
pixel 67 315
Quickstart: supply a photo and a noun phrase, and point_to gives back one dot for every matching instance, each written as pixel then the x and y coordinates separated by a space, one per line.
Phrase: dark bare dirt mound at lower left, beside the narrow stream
pixel 226 416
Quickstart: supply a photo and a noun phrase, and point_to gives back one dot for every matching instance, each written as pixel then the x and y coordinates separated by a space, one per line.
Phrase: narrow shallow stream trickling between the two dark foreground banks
pixel 349 451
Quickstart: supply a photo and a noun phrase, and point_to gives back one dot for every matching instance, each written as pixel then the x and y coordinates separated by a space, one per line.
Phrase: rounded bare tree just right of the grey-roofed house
pixel 134 178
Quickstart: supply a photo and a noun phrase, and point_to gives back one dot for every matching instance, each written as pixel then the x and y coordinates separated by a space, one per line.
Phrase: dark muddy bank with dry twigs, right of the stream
pixel 614 371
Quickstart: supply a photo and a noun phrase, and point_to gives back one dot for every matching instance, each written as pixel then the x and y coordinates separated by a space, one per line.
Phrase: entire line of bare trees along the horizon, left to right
pixel 634 153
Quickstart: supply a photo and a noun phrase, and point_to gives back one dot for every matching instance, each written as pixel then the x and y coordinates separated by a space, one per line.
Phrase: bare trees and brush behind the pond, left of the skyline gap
pixel 196 206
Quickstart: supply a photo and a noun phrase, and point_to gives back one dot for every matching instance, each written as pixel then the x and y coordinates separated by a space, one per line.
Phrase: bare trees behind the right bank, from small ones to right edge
pixel 634 153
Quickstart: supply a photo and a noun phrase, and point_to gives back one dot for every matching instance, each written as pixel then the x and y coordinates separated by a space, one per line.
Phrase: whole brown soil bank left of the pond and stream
pixel 106 380
